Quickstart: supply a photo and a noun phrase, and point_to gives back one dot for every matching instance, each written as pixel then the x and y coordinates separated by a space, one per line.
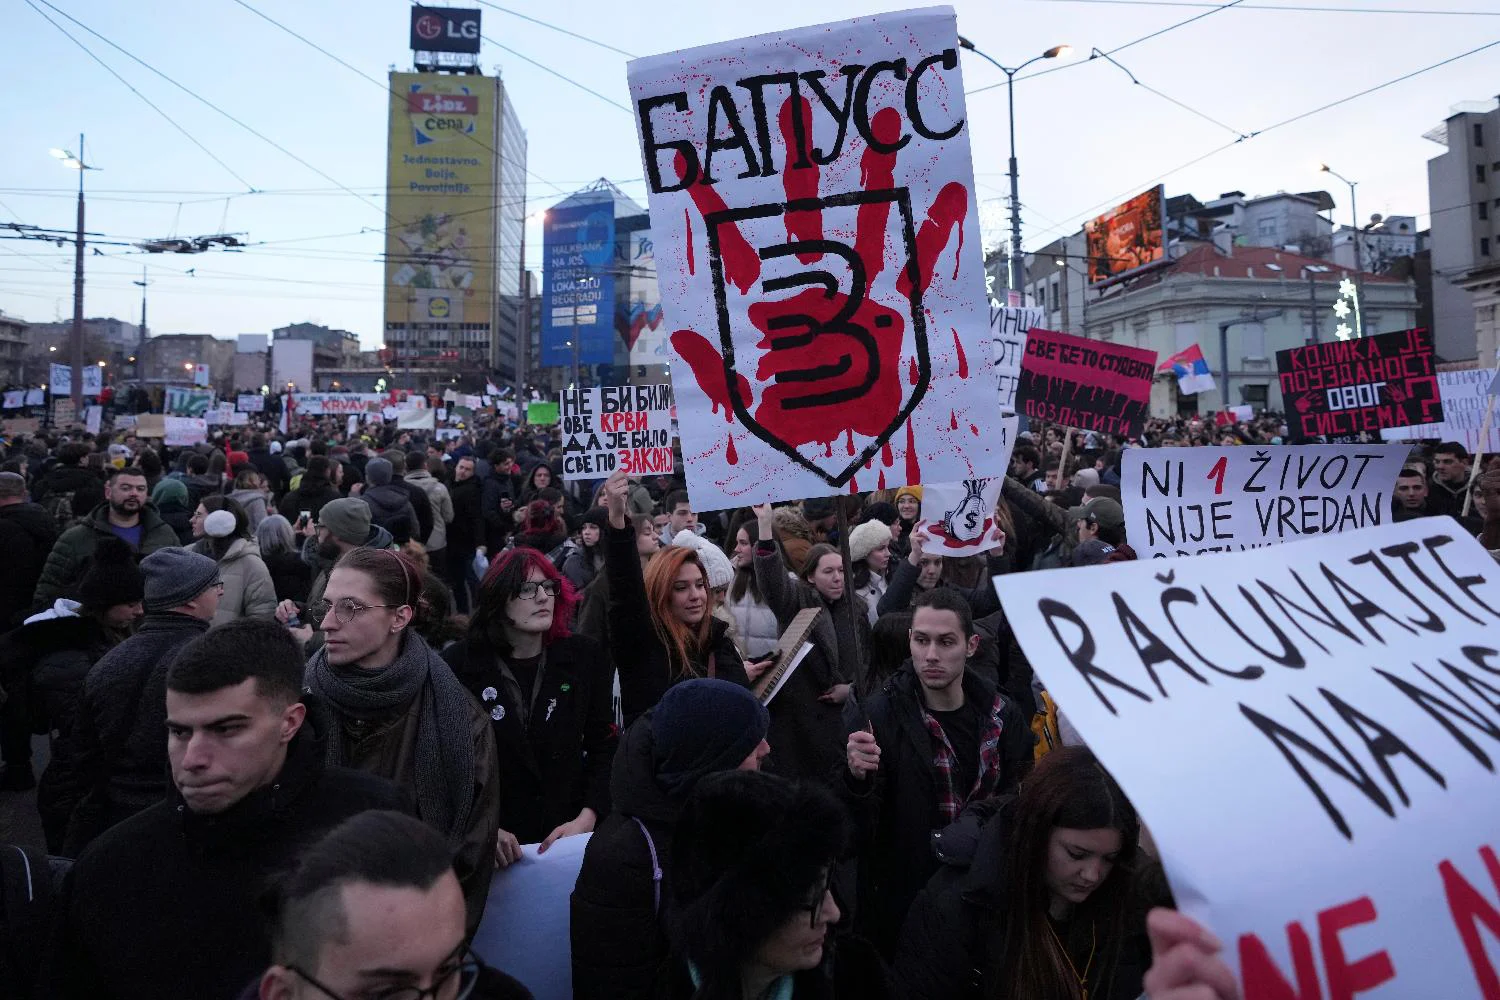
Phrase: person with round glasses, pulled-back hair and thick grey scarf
pixel 401 714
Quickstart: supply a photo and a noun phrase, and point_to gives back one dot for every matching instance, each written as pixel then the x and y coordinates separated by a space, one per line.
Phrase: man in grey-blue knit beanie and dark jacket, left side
pixel 119 755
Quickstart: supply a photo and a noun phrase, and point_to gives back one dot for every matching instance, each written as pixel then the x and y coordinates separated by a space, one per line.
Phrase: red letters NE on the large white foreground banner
pixel 1265 981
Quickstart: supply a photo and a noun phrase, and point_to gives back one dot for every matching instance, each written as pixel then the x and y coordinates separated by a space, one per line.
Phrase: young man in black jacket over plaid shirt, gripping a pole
pixel 935 738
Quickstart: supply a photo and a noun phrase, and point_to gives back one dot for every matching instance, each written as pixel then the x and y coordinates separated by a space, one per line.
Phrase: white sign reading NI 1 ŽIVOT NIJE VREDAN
pixel 1189 501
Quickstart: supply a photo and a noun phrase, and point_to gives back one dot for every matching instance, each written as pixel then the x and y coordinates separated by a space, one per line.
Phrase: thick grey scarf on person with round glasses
pixel 445 750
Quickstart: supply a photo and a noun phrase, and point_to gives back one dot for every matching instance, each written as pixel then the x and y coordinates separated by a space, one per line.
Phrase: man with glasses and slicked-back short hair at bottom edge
pixel 376 909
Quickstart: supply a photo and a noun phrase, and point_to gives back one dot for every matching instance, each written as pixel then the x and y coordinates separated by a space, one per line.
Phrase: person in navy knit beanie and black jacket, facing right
pixel 700 728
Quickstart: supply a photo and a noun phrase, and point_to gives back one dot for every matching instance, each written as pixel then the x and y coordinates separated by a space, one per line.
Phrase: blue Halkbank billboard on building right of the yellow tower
pixel 578 284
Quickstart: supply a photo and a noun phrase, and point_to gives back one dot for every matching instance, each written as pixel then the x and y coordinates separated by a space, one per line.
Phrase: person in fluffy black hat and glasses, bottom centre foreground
pixel 754 911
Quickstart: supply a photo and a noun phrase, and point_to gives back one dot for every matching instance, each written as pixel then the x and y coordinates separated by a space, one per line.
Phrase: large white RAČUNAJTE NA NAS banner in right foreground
pixel 1312 735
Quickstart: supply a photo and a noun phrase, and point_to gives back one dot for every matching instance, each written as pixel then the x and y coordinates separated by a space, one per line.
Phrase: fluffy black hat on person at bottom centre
pixel 751 851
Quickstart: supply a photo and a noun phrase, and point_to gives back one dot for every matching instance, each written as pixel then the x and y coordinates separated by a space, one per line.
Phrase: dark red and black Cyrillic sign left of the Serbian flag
pixel 1085 385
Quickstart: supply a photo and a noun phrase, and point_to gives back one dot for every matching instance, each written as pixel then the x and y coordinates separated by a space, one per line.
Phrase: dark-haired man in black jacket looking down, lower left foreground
pixel 167 903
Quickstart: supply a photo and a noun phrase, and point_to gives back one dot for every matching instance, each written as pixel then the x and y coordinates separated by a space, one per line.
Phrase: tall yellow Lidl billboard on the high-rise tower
pixel 440 196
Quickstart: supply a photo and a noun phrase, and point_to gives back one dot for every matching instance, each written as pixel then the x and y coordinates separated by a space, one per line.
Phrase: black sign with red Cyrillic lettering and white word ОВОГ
pixel 1351 388
